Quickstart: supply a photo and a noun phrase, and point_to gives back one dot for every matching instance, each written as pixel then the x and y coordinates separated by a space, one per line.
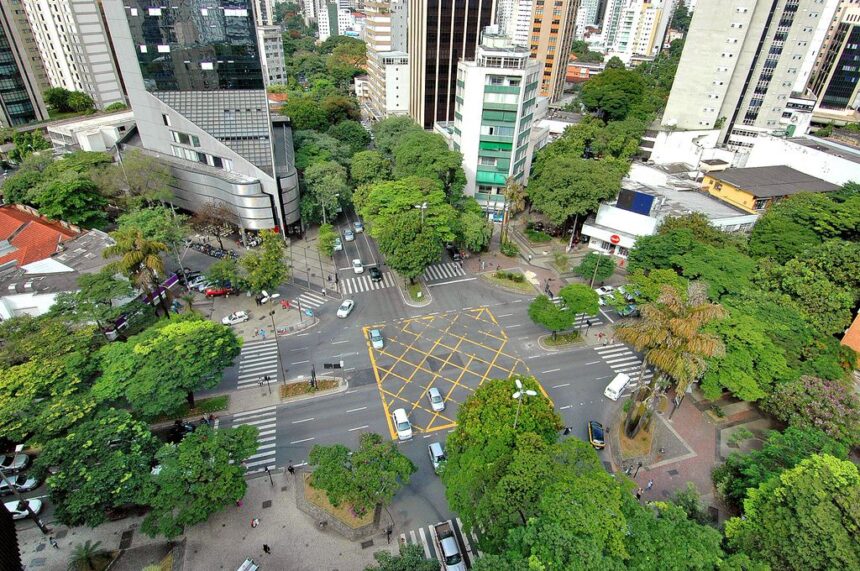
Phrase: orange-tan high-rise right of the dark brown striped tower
pixel 553 23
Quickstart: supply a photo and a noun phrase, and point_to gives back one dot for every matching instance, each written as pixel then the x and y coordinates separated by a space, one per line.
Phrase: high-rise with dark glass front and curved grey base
pixel 196 86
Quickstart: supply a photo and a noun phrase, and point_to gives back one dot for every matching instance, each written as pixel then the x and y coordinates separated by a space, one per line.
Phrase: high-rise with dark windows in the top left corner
pixel 22 77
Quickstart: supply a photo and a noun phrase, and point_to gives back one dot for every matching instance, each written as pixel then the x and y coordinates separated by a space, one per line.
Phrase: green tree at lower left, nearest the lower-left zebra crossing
pixel 197 478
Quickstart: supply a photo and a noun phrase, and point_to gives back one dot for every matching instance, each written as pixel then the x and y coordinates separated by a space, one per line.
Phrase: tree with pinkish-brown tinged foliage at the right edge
pixel 810 402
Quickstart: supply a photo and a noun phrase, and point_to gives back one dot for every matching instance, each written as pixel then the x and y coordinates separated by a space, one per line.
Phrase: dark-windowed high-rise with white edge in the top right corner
pixel 835 80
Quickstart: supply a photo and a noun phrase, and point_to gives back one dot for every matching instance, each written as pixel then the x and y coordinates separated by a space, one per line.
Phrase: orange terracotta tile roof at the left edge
pixel 34 239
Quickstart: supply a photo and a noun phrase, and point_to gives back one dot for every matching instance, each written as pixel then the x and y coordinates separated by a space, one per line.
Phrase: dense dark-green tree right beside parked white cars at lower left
pixel 101 464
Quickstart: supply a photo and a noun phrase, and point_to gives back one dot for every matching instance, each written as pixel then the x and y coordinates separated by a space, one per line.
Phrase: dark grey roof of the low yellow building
pixel 773 181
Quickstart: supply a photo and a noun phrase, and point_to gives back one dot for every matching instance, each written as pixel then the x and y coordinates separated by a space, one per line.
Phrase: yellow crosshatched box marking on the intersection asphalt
pixel 454 352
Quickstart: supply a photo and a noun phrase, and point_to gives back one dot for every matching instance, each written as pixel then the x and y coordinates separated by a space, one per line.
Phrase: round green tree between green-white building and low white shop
pixel 572 186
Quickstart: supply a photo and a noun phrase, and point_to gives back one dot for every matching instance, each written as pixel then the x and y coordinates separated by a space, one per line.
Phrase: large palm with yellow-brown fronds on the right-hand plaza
pixel 670 335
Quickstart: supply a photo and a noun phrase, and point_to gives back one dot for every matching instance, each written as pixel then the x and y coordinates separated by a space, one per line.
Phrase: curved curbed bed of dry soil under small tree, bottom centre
pixel 340 519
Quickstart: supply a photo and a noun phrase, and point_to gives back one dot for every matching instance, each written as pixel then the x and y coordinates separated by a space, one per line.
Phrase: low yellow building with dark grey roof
pixel 755 189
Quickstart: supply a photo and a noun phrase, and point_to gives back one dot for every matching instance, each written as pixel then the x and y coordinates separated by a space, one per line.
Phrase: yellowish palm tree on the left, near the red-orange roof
pixel 139 260
